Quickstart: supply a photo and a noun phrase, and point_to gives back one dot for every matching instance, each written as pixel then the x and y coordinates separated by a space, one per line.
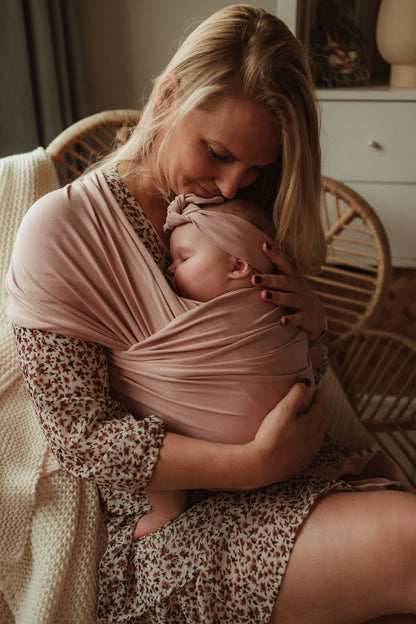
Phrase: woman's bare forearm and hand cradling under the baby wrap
pixel 285 444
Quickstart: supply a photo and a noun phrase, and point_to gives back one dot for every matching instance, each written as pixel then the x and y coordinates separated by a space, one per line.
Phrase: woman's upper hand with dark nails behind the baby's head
pixel 287 289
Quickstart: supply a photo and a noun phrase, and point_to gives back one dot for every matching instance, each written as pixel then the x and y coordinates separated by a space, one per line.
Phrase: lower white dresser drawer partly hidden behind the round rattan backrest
pixel 395 204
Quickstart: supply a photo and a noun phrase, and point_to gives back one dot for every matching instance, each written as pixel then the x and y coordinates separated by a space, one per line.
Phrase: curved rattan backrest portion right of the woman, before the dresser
pixel 355 279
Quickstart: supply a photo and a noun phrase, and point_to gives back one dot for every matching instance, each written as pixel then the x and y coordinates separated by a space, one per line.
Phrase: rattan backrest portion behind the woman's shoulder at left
pixel 89 140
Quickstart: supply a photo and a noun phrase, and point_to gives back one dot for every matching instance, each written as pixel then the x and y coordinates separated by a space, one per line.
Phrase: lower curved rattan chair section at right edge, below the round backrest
pixel 378 372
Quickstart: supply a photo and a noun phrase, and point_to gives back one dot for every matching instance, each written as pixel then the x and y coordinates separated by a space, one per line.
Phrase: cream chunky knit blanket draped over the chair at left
pixel 50 525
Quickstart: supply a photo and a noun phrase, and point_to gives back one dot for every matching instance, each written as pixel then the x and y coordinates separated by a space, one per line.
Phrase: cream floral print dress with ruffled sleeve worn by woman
pixel 220 561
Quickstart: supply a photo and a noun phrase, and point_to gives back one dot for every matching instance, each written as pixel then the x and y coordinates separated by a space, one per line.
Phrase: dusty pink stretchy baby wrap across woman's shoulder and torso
pixel 210 370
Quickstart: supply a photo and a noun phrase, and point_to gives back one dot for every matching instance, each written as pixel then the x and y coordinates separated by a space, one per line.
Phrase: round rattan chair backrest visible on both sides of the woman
pixel 355 279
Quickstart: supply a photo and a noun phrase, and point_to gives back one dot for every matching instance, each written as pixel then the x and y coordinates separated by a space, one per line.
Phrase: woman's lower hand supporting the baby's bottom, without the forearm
pixel 287 442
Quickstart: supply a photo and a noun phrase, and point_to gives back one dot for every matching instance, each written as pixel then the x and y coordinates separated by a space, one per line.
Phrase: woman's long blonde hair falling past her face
pixel 246 52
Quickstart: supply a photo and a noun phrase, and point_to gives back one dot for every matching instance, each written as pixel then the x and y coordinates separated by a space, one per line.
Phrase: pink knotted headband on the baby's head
pixel 233 234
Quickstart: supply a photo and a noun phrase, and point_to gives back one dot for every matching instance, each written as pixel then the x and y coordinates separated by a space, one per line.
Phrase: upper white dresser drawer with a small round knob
pixel 349 127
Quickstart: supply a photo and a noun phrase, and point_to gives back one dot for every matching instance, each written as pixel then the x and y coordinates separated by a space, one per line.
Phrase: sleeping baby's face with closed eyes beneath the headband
pixel 199 269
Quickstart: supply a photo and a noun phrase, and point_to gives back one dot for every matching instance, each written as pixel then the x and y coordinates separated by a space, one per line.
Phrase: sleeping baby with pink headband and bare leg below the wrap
pixel 214 250
